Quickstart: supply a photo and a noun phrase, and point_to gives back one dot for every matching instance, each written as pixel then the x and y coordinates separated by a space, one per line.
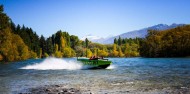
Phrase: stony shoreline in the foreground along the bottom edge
pixel 63 89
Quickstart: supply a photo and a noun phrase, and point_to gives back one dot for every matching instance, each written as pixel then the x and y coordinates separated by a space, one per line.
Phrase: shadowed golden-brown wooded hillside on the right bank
pixel 168 43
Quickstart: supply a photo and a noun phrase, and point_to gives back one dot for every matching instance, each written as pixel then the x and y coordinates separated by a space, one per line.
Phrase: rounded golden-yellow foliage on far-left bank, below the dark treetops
pixel 12 46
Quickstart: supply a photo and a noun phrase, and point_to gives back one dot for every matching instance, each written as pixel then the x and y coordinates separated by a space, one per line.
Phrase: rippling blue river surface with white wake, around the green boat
pixel 125 75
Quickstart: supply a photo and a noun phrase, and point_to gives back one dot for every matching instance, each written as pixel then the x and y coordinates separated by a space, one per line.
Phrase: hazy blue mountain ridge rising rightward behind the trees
pixel 141 33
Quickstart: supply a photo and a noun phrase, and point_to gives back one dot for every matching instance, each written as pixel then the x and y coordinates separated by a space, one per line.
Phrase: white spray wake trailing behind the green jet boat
pixel 55 64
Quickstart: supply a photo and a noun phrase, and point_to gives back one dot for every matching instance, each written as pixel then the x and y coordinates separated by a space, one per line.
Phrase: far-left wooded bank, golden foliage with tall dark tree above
pixel 12 46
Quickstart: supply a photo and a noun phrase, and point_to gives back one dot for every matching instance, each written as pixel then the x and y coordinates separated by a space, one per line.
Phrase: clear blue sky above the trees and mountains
pixel 95 17
